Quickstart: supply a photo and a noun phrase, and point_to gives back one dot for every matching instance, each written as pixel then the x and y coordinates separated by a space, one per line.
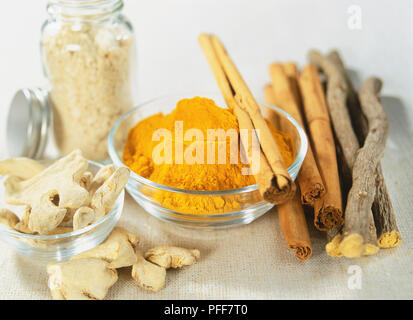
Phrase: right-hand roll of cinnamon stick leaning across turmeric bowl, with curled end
pixel 282 188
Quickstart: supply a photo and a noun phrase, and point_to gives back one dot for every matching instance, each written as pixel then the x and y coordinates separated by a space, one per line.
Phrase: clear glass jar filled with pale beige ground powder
pixel 88 56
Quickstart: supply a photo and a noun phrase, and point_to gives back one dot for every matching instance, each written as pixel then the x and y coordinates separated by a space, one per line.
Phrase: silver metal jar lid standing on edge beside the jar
pixel 28 123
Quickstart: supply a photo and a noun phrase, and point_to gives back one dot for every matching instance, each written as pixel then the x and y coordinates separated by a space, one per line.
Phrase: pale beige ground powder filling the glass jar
pixel 89 68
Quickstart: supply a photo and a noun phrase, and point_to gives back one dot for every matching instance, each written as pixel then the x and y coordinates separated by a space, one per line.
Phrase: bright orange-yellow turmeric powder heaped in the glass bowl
pixel 202 114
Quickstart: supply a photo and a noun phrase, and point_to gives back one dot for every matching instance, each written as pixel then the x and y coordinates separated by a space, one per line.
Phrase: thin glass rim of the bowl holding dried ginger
pixel 107 217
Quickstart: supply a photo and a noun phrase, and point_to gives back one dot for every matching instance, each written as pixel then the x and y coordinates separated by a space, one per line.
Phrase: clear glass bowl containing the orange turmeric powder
pixel 249 205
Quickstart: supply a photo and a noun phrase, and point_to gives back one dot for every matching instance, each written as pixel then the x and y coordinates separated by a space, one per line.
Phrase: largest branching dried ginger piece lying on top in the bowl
pixel 50 192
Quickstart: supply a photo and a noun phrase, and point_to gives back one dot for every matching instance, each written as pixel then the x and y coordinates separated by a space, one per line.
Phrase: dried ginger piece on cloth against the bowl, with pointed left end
pixel 118 249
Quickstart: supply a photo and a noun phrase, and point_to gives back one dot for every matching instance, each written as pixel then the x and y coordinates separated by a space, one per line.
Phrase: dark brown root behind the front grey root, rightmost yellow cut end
pixel 388 235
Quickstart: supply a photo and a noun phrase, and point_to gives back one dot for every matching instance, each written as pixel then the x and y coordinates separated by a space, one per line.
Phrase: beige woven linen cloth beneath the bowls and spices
pixel 248 262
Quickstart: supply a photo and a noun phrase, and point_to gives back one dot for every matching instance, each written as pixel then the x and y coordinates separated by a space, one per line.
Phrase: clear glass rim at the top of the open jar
pixel 83 9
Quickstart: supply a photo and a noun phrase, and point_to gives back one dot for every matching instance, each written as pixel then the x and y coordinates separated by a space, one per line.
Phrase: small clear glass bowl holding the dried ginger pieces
pixel 62 246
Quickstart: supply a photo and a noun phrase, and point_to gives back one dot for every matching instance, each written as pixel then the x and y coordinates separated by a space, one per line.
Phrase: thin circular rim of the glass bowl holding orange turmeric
pixel 134 176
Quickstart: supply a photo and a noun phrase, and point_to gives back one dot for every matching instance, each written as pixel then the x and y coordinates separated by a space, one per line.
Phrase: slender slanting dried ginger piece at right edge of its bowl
pixel 105 196
